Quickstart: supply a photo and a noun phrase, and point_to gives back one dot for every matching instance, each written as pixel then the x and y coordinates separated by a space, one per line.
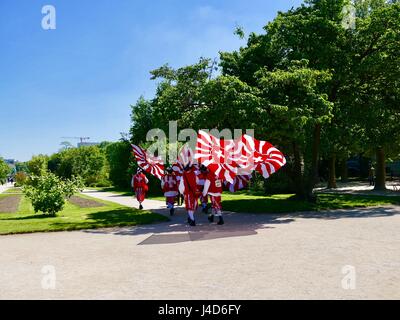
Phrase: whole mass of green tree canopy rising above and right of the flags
pixel 311 84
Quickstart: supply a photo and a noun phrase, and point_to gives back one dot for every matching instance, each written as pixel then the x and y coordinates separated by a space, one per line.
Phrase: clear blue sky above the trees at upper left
pixel 80 79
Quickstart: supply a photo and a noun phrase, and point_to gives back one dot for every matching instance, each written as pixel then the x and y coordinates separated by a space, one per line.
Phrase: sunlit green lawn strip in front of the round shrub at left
pixel 74 218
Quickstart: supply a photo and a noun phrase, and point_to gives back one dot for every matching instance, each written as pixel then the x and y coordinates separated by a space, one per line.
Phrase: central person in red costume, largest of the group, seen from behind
pixel 188 187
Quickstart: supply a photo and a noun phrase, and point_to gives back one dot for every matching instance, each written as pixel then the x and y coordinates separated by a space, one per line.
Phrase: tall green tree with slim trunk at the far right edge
pixel 375 77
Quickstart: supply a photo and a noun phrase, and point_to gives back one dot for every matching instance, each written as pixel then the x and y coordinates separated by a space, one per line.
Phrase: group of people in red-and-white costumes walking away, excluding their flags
pixel 196 185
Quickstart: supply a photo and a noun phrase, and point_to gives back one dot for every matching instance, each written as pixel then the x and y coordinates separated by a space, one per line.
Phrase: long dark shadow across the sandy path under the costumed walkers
pixel 236 224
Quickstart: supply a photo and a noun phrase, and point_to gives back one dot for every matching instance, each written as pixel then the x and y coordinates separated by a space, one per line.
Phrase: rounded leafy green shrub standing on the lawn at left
pixel 48 192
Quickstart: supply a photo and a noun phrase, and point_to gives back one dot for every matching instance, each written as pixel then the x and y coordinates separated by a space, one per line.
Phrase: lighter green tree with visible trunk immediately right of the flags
pixel 295 110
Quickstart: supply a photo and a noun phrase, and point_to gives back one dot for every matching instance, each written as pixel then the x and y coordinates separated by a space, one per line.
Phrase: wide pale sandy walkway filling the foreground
pixel 346 254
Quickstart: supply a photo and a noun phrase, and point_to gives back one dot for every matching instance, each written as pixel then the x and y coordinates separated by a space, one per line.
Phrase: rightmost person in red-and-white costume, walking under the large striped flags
pixel 213 187
